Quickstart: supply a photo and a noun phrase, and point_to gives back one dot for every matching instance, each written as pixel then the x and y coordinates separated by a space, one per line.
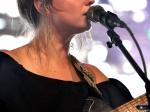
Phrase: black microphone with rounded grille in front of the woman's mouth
pixel 108 19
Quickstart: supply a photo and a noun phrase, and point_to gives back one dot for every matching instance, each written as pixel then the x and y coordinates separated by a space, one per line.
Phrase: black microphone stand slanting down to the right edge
pixel 115 39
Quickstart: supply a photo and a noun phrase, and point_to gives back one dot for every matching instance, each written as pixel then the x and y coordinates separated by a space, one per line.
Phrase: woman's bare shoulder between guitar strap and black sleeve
pixel 97 74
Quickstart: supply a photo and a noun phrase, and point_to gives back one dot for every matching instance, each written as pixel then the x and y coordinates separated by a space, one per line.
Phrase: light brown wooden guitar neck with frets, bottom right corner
pixel 131 105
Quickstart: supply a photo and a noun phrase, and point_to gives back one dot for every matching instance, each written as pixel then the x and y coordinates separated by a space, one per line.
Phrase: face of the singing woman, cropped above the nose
pixel 69 16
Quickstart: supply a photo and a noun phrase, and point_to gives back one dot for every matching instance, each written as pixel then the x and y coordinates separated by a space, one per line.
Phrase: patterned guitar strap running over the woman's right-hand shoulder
pixel 87 76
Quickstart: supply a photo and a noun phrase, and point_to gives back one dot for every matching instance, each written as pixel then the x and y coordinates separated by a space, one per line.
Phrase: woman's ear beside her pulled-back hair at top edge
pixel 38 6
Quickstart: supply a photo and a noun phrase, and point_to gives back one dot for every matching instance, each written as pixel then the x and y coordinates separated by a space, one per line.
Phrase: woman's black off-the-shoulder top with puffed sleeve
pixel 24 91
